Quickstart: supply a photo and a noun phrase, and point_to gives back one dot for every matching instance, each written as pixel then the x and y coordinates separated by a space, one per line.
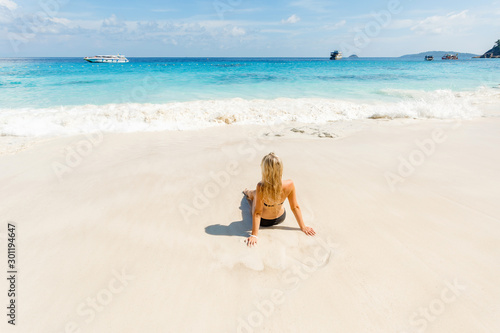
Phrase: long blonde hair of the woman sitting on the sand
pixel 272 171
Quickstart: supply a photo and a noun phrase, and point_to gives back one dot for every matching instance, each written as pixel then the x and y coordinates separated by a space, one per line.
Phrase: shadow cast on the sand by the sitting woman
pixel 242 227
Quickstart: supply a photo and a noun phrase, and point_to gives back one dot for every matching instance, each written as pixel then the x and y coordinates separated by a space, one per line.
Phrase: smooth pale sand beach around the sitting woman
pixel 144 232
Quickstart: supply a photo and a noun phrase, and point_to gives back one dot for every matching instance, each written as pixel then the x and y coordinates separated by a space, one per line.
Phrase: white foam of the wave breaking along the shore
pixel 133 117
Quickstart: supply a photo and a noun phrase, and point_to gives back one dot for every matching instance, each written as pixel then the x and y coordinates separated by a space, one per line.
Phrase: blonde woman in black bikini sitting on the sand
pixel 267 200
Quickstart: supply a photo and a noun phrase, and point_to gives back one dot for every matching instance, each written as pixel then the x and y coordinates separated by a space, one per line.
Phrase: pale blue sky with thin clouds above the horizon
pixel 253 28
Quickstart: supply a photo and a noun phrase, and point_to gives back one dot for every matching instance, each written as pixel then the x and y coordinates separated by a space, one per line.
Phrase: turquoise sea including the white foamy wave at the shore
pixel 43 96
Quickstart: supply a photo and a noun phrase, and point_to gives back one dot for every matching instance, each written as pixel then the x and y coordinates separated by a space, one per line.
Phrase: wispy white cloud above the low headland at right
pixel 447 24
